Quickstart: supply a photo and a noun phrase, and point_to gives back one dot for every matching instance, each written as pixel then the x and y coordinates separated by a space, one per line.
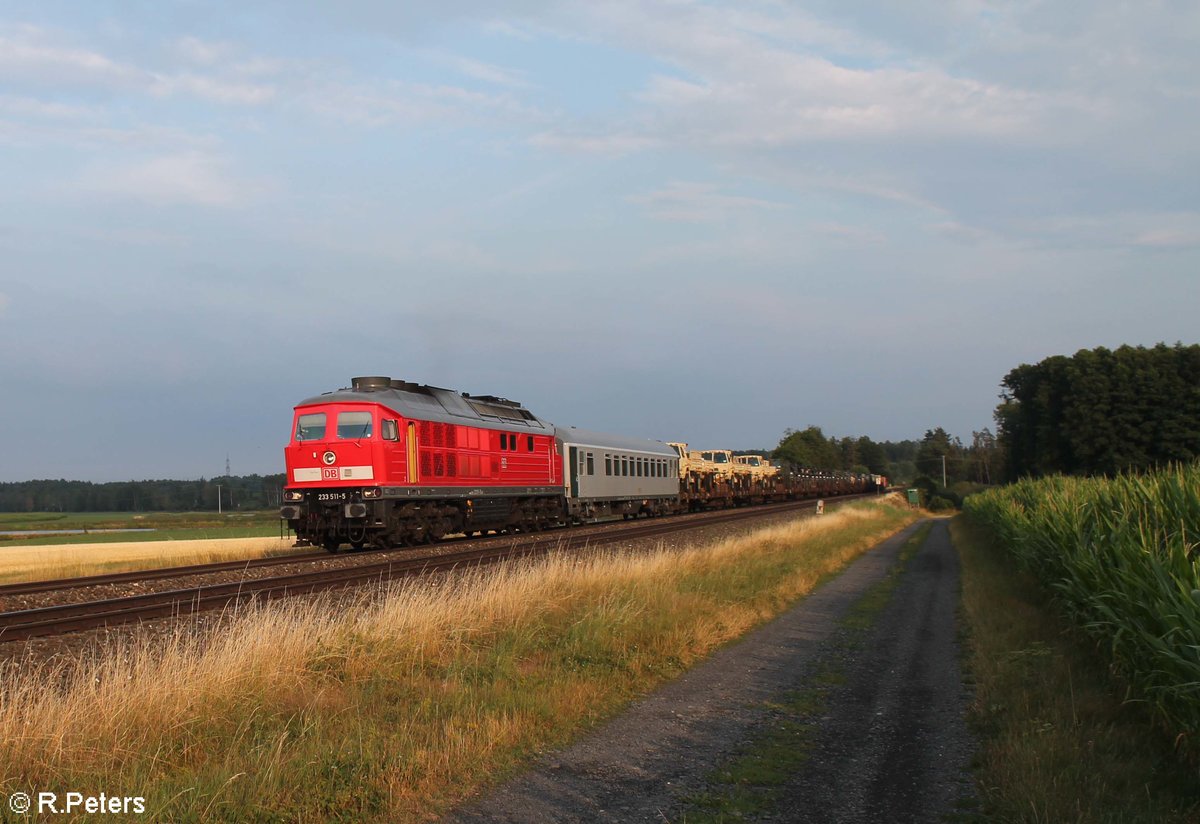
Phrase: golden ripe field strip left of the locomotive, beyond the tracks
pixel 70 561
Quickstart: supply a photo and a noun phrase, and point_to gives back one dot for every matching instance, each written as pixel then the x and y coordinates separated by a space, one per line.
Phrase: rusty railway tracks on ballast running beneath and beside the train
pixel 26 624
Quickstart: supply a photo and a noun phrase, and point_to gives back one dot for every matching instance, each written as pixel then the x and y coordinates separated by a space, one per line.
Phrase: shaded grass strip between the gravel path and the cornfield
pixel 1057 744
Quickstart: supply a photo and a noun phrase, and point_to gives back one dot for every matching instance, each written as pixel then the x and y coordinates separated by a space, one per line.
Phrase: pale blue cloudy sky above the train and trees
pixel 687 221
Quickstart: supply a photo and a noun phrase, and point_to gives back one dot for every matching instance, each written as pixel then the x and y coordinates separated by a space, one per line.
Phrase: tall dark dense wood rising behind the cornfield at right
pixel 1102 412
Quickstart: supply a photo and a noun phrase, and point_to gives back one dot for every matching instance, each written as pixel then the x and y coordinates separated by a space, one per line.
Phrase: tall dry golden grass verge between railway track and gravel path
pixel 398 707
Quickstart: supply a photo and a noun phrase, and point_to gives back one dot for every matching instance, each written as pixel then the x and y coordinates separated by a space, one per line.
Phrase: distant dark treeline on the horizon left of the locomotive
pixel 237 492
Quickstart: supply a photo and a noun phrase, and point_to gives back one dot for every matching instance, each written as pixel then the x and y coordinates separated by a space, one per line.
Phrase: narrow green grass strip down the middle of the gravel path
pixel 751 785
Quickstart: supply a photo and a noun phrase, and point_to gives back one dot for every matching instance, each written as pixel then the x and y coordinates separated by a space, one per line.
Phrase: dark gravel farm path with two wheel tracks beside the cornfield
pixel 887 744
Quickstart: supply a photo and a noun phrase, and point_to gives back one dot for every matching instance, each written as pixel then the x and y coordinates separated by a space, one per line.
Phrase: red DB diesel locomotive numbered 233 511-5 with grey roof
pixel 389 462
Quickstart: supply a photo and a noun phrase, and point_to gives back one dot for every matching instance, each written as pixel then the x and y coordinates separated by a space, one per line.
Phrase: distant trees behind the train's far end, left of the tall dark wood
pixel 981 462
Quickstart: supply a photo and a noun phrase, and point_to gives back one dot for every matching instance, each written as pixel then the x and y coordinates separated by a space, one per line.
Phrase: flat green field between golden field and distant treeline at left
pixel 166 526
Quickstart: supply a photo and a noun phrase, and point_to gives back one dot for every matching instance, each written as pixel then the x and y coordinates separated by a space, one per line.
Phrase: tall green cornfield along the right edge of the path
pixel 1123 557
